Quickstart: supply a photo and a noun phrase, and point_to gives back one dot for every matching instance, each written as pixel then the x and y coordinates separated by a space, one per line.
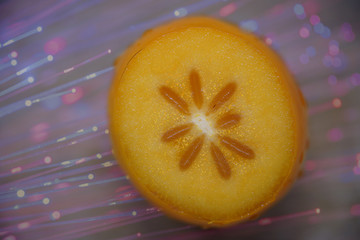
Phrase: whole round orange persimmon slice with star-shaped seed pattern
pixel 207 121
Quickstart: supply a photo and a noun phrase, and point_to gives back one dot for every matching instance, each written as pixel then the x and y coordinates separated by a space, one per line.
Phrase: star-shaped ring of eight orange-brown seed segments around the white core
pixel 226 121
